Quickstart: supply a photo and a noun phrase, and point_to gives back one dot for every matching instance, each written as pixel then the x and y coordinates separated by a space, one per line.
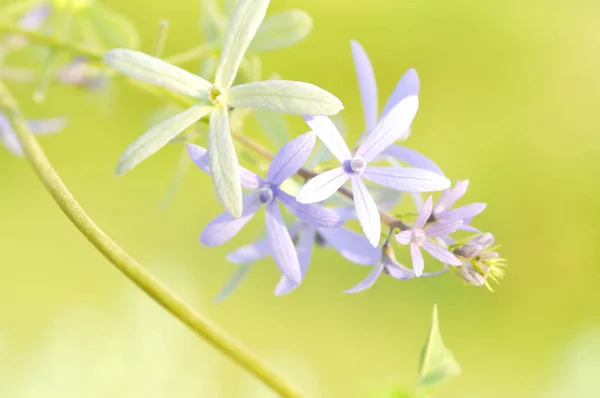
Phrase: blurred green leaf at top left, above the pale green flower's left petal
pixel 115 29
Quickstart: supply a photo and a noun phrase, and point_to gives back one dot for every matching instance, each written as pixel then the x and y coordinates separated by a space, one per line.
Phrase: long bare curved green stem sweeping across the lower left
pixel 202 326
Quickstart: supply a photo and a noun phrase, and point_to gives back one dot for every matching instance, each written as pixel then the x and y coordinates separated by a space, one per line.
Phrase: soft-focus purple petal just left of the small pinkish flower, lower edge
pixel 352 246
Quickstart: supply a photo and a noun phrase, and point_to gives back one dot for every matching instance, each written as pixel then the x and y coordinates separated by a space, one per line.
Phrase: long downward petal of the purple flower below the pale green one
pixel 282 246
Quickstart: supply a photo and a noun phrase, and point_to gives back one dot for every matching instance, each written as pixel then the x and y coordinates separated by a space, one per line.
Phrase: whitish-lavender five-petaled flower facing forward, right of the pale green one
pixel 355 166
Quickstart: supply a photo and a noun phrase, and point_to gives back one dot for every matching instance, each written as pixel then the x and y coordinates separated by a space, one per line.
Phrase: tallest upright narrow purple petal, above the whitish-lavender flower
pixel 366 84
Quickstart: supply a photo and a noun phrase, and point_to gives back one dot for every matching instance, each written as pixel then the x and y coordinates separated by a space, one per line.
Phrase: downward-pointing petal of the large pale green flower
pixel 223 162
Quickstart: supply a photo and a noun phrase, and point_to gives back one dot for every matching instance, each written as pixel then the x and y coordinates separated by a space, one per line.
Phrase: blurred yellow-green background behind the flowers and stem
pixel 509 100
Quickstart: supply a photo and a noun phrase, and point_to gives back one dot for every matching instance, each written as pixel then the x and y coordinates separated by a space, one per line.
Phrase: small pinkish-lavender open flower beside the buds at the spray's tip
pixel 418 237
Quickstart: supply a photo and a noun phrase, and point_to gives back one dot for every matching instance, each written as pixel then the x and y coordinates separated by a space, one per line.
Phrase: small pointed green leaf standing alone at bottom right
pixel 437 363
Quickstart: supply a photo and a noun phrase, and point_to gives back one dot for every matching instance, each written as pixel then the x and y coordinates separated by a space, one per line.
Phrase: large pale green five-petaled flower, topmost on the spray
pixel 216 98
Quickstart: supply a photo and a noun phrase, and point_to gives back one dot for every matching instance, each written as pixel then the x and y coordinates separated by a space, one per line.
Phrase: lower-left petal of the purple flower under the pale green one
pixel 224 227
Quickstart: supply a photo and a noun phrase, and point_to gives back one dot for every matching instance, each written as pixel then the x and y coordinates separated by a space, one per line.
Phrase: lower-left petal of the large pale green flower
pixel 159 136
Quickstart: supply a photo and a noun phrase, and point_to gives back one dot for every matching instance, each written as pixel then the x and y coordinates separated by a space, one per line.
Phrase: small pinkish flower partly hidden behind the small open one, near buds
pixel 442 209
